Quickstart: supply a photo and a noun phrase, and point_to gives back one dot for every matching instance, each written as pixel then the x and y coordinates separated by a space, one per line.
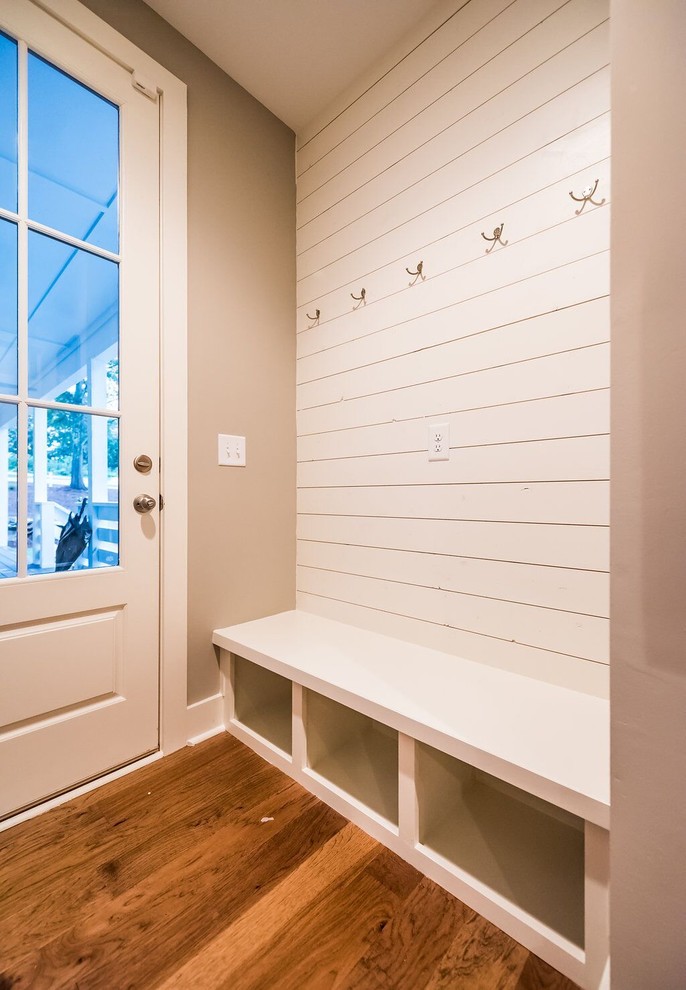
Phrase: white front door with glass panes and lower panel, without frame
pixel 79 402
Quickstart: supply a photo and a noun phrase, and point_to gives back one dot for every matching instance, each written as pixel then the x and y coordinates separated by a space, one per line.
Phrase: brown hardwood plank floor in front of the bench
pixel 211 869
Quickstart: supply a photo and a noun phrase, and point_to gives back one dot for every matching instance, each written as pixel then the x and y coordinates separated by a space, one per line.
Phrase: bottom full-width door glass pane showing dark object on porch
pixel 73 491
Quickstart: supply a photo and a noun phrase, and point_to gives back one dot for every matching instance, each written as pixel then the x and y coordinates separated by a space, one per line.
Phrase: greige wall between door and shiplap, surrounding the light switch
pixel 241 353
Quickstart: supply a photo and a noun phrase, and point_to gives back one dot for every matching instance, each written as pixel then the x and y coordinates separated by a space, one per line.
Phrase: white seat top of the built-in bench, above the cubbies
pixel 549 740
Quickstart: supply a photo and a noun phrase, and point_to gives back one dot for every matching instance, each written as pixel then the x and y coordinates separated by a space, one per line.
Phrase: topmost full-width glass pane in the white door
pixel 73 157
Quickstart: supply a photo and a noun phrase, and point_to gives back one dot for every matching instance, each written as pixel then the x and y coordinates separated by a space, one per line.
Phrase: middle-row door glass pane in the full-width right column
pixel 73 324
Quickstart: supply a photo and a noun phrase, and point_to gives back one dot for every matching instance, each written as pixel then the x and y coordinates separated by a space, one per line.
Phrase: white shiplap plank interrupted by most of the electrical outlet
pixel 587 413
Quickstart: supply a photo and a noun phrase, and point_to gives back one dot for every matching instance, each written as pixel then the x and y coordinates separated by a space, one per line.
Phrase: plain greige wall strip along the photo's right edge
pixel 648 566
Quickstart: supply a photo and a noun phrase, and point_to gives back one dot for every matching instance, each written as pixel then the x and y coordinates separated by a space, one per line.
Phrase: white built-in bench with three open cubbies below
pixel 494 784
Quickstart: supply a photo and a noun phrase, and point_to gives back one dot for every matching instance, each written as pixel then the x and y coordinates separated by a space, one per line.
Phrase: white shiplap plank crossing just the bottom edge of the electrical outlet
pixel 575 459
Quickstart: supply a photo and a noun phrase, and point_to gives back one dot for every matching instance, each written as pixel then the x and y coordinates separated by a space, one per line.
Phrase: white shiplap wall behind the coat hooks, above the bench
pixel 490 114
